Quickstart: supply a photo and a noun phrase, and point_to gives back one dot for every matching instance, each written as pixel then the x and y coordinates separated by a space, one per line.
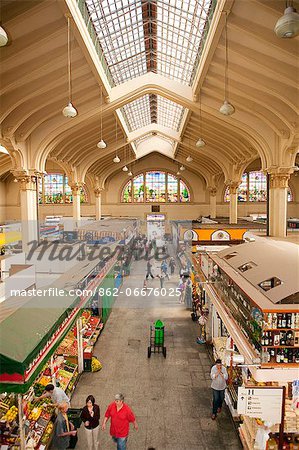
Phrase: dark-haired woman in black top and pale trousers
pixel 90 416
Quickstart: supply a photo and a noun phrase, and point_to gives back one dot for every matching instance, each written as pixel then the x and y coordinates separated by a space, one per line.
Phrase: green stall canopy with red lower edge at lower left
pixel 26 333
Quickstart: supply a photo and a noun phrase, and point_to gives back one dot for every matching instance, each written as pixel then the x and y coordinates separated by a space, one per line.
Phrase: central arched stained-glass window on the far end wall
pixel 155 187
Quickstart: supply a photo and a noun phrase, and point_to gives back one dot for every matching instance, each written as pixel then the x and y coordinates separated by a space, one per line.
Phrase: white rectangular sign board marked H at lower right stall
pixel 261 403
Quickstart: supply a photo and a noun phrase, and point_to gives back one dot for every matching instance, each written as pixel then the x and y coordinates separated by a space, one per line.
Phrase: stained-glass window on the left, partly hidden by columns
pixel 54 188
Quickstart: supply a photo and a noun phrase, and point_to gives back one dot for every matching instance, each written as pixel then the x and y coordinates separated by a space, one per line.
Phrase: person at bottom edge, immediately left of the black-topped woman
pixel 63 429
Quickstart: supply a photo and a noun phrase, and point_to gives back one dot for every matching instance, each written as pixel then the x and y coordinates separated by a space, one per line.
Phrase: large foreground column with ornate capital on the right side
pixel 278 203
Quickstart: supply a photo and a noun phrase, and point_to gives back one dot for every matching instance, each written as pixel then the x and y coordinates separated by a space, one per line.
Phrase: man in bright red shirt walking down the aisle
pixel 120 415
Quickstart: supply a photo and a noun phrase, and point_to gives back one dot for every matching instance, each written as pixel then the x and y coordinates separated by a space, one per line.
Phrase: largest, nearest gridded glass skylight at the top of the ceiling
pixel 161 36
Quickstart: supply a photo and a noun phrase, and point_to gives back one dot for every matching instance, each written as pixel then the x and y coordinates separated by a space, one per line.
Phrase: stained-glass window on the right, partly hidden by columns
pixel 253 188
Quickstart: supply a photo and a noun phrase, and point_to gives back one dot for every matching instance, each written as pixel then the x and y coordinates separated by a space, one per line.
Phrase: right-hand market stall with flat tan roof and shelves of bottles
pixel 254 304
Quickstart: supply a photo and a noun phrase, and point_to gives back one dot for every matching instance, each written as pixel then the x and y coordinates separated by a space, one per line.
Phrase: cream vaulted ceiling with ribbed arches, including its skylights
pixel 158 67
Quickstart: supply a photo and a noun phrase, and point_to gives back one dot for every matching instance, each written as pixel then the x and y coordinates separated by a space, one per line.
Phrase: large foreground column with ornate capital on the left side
pixel 28 202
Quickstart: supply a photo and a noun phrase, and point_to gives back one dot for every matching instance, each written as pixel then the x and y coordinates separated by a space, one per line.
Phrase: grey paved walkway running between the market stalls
pixel 170 397
